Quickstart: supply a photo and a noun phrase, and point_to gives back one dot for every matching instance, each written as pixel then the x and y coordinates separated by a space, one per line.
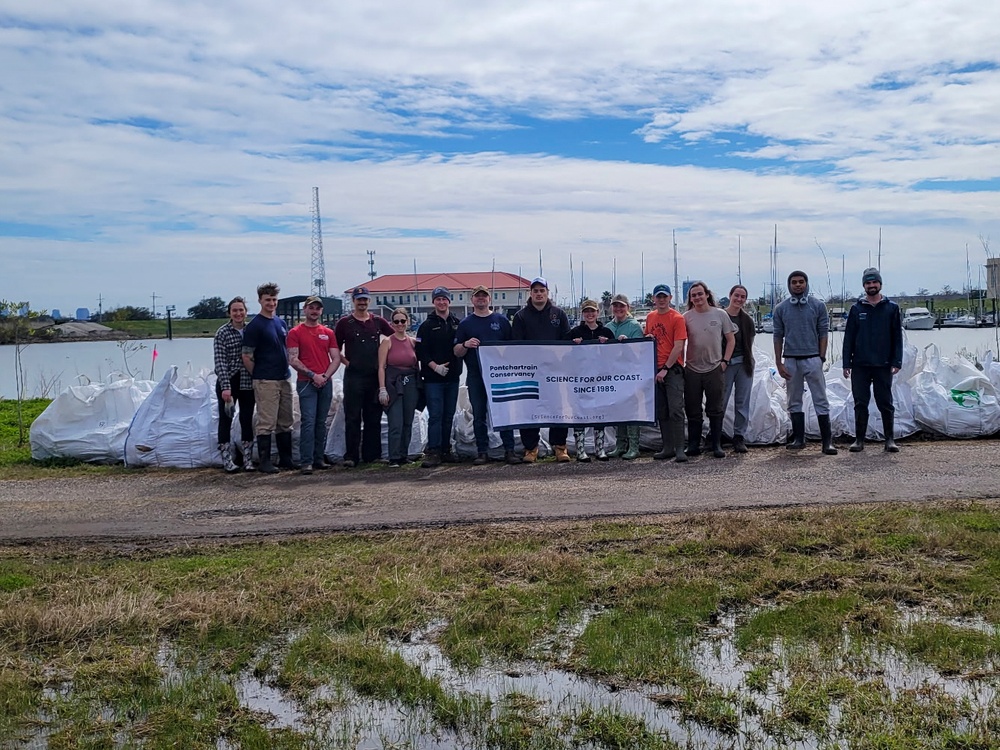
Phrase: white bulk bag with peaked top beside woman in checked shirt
pixel 176 426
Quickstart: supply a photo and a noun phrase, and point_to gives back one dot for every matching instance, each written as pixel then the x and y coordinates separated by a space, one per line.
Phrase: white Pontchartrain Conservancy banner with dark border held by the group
pixel 555 383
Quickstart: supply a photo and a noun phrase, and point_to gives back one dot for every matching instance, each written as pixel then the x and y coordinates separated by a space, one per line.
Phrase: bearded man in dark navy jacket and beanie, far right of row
pixel 873 353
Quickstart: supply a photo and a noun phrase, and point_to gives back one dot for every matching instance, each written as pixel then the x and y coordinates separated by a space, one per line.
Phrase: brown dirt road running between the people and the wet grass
pixel 165 505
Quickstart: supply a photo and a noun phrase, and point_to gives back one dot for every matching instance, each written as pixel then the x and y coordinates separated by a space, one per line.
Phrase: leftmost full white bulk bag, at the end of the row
pixel 89 422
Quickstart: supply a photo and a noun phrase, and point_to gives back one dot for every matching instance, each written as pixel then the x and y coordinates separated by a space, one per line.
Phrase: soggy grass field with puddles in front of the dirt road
pixel 865 627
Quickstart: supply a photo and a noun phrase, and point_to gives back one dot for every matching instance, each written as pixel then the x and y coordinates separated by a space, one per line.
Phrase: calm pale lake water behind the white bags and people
pixel 50 368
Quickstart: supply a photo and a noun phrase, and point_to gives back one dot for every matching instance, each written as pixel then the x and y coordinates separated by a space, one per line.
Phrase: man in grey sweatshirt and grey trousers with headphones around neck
pixel 801 330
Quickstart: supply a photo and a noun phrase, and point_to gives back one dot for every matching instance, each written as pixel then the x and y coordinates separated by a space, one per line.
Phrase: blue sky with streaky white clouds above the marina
pixel 171 149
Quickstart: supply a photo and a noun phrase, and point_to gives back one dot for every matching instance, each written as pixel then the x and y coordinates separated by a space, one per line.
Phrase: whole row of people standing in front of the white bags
pixel 704 357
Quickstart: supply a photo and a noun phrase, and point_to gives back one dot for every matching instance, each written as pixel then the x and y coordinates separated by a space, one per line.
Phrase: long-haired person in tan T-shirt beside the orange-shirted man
pixel 708 329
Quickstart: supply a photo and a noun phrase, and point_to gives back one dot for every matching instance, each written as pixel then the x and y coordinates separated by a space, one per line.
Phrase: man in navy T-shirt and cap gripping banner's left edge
pixel 482 324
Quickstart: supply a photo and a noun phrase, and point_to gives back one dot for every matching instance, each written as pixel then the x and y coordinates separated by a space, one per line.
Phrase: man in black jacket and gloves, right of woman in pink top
pixel 440 369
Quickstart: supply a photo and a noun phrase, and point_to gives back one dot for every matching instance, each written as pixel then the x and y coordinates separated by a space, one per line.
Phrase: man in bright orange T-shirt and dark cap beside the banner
pixel 666 326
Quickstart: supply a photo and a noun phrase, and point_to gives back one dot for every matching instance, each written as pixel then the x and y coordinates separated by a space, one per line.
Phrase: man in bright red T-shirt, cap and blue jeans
pixel 313 353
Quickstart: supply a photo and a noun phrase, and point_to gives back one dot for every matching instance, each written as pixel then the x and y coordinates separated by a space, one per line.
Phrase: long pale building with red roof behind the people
pixel 413 291
